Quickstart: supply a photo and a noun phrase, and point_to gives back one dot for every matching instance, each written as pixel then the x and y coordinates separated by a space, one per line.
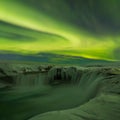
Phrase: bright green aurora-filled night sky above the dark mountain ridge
pixel 86 28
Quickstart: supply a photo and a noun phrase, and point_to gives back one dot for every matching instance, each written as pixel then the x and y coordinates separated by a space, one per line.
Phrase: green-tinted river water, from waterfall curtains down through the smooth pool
pixel 33 94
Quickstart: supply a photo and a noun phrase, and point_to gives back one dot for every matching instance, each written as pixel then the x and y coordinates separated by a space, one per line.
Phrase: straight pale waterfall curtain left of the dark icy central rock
pixel 30 81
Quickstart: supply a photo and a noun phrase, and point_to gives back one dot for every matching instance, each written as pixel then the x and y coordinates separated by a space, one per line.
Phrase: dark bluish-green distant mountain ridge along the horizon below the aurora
pixel 52 59
